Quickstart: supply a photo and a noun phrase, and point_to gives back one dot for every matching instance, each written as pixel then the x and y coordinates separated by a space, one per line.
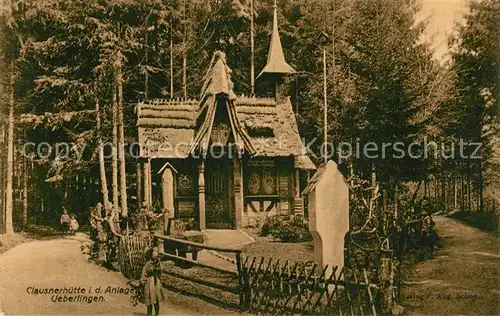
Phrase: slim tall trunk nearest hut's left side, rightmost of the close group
pixel 121 140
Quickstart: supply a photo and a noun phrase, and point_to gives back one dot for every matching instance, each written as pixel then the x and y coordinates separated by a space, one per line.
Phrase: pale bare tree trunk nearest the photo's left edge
pixel 9 225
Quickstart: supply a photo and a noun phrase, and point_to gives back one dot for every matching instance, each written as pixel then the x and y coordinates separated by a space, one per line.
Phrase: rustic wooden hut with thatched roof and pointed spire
pixel 230 158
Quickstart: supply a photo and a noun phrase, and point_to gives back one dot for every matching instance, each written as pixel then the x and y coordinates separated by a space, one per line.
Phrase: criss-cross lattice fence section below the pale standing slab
pixel 297 288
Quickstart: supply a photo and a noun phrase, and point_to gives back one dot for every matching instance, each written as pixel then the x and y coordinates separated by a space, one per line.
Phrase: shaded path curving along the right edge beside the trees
pixel 462 279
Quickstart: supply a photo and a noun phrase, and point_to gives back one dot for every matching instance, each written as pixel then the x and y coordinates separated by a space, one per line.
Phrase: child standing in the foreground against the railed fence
pixel 153 290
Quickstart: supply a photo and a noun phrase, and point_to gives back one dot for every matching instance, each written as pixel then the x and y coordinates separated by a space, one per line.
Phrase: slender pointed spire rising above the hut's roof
pixel 276 63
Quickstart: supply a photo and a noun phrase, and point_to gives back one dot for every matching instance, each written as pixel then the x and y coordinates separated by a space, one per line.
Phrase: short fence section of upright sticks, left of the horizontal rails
pixel 131 255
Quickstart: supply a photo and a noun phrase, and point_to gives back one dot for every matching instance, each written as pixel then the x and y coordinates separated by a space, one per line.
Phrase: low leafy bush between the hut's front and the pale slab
pixel 287 230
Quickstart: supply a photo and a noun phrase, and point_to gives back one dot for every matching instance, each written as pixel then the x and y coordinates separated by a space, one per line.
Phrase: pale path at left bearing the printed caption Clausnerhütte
pixel 59 264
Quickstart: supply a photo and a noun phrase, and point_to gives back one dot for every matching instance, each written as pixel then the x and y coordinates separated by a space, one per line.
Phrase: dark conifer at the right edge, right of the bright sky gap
pixel 476 55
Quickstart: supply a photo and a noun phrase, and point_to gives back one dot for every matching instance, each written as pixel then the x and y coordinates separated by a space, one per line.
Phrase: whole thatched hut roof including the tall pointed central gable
pixel 263 127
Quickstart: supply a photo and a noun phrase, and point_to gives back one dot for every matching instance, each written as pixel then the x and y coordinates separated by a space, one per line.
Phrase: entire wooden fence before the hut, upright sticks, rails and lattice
pixel 267 286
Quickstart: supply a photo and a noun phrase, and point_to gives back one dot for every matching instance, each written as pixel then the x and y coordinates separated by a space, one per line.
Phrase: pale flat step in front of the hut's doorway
pixel 226 238
